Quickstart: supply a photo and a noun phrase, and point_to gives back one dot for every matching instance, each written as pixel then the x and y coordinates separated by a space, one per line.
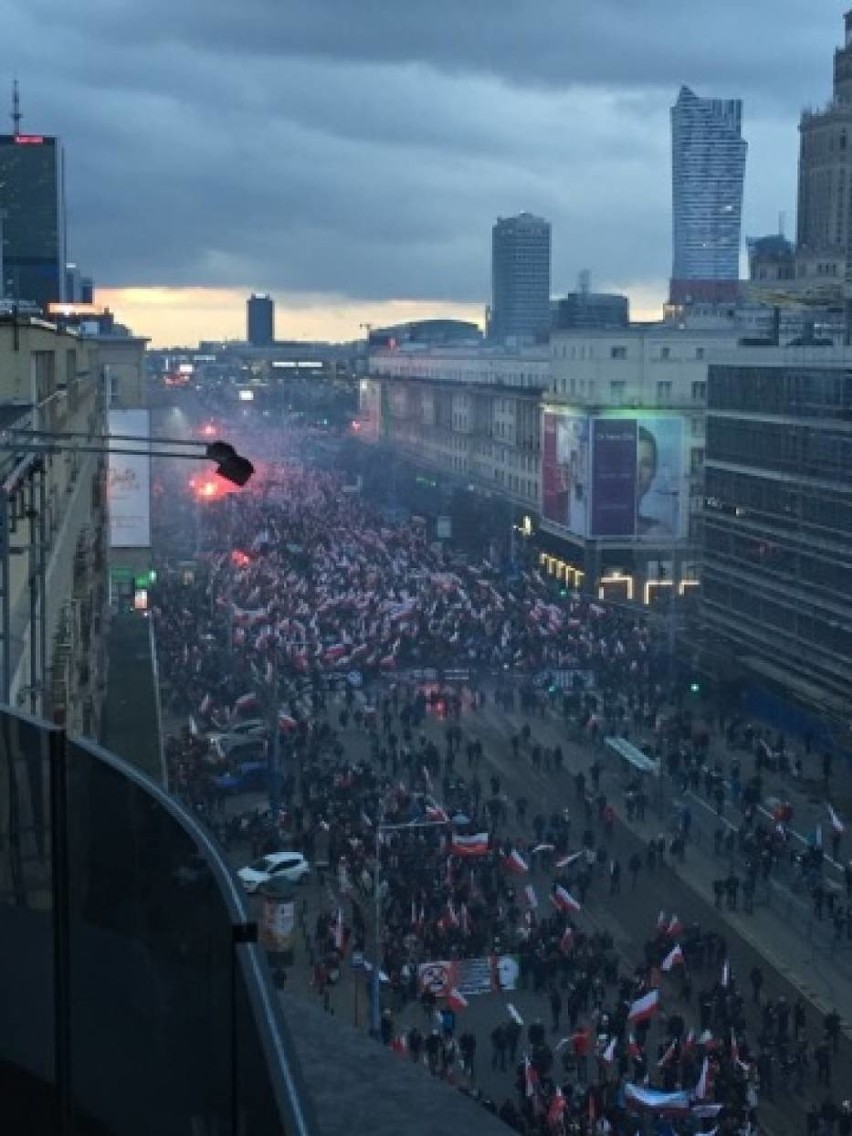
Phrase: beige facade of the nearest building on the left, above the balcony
pixel 56 381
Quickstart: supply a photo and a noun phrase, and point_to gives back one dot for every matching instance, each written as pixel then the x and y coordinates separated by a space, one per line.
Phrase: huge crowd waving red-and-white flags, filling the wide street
pixel 307 595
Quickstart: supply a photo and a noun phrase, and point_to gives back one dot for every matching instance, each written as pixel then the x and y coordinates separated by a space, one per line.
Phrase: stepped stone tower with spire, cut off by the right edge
pixel 825 180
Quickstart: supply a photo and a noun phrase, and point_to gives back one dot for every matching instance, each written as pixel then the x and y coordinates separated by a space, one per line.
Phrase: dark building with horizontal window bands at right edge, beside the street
pixel 778 530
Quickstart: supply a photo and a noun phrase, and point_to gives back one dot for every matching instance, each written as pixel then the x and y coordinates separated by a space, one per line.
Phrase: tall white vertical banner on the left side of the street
pixel 130 483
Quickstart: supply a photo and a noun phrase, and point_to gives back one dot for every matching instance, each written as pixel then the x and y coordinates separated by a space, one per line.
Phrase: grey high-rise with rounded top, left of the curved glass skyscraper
pixel 520 279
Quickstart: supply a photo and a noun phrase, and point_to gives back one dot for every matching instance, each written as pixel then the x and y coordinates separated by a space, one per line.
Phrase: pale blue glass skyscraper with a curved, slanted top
pixel 708 171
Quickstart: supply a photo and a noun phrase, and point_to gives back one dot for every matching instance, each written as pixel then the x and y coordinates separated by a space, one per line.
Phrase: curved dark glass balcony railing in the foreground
pixel 135 997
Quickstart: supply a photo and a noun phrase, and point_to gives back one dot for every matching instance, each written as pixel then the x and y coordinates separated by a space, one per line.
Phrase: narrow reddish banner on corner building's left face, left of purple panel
pixel 565 470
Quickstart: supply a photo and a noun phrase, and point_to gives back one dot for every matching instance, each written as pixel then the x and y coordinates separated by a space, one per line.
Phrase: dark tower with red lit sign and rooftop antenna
pixel 32 215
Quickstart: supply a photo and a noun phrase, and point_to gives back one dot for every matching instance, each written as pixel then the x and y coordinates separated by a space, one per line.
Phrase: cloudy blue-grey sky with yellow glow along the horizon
pixel 345 154
